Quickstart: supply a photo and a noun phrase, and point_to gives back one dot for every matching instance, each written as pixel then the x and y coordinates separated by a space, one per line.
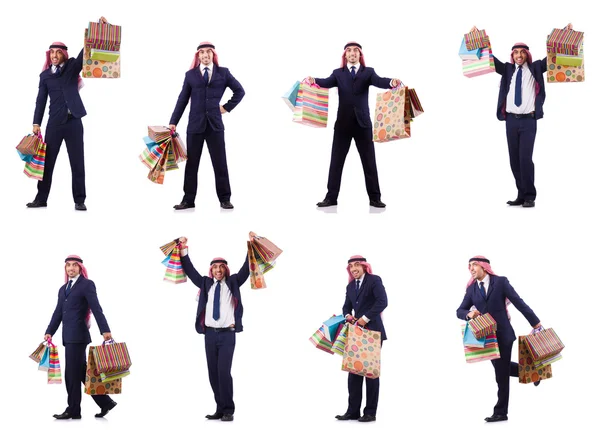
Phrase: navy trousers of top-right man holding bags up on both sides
pixel 520 133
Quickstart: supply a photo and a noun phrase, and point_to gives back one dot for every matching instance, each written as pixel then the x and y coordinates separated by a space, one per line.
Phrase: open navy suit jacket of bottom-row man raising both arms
pixel 205 283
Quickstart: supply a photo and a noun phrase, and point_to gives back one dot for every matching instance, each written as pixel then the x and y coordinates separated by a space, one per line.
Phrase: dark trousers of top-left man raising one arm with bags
pixel 72 133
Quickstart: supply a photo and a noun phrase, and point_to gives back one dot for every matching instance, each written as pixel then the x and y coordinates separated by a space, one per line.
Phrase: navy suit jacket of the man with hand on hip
pixel 206 98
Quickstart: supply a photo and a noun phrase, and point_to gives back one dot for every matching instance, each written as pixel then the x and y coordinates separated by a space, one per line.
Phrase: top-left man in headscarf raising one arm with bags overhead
pixel 61 81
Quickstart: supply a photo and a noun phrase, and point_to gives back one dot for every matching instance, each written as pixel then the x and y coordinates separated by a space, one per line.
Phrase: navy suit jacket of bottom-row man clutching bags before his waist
pixel 372 300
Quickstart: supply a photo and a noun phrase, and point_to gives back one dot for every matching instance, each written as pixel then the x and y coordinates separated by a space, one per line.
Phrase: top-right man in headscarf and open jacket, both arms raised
pixel 520 103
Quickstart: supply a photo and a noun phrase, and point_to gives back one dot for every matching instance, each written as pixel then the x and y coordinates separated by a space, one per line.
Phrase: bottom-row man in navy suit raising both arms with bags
pixel 218 318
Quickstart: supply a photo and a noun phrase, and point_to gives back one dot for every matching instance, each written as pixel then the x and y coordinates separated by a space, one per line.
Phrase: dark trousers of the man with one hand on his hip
pixel 215 140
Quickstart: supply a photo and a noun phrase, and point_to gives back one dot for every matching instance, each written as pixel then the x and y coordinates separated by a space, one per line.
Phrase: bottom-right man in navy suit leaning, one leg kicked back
pixel 490 293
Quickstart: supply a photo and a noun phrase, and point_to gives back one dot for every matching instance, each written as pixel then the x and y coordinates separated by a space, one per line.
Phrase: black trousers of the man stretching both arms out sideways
pixel 342 138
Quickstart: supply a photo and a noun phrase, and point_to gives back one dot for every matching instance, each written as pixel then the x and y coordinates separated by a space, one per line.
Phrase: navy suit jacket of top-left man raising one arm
pixel 63 93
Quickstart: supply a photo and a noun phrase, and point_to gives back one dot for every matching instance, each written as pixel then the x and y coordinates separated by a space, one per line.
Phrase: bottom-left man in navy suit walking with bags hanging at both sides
pixel 76 300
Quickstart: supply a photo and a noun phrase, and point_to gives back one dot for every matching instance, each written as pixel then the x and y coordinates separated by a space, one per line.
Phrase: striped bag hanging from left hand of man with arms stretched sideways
pixel 312 104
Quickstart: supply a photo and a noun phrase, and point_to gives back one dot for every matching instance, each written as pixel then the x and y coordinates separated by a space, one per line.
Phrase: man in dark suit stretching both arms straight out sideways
pixel 353 80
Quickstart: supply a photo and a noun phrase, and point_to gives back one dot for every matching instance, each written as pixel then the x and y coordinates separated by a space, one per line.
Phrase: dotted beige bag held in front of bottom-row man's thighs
pixel 362 354
